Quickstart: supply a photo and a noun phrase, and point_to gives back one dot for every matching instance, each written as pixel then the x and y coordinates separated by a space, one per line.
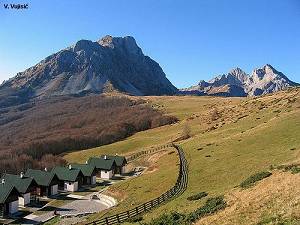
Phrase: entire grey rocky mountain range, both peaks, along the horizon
pixel 118 63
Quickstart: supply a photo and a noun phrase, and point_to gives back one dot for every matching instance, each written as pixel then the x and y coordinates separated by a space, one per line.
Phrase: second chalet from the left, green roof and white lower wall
pixel 26 186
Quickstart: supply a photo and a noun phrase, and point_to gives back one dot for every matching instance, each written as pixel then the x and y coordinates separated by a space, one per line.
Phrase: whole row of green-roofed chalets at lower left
pixel 21 190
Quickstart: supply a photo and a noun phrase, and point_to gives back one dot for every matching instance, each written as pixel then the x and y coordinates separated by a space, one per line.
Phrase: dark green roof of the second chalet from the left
pixel 21 184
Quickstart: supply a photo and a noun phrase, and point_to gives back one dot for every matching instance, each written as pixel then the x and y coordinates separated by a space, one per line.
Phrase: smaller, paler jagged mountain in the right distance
pixel 237 83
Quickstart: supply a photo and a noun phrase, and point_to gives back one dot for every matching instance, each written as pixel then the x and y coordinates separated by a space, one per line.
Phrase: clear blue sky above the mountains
pixel 191 40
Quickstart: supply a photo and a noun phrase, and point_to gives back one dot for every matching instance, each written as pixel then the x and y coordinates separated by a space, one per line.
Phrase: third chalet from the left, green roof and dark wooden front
pixel 47 182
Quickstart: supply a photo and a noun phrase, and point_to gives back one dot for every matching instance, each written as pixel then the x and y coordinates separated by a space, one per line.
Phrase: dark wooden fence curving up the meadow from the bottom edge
pixel 179 187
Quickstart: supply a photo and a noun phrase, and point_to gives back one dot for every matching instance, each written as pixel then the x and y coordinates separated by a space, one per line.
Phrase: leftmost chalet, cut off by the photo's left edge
pixel 9 199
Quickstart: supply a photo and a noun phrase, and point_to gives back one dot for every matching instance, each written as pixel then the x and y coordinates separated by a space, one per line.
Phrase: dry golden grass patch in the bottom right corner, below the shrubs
pixel 274 200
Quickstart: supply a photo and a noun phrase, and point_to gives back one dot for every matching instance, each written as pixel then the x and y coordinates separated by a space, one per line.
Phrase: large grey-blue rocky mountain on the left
pixel 87 66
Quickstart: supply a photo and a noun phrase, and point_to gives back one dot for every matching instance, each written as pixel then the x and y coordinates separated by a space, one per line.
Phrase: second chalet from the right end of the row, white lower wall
pixel 105 167
